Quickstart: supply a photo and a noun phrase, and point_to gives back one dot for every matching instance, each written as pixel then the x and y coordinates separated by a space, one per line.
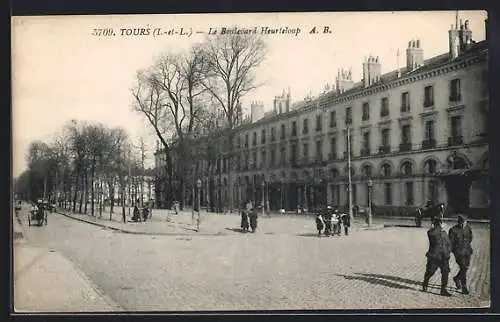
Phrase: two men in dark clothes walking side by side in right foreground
pixel 441 245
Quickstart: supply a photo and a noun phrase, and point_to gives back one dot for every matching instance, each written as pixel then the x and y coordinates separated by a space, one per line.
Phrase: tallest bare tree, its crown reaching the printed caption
pixel 230 65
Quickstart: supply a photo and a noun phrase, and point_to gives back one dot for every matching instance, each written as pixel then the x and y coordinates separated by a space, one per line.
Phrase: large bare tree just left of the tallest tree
pixel 174 89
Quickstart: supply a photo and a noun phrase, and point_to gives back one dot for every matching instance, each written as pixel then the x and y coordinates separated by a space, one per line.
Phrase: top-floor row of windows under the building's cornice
pixel 455 95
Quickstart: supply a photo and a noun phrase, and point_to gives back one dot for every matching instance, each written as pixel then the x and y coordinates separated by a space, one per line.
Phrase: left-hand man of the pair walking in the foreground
pixel 438 256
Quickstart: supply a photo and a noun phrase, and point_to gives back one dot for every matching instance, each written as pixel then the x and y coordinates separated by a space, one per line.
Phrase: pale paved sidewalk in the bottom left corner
pixel 45 281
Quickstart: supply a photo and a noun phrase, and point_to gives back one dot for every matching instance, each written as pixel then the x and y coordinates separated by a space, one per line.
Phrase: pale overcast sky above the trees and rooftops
pixel 62 72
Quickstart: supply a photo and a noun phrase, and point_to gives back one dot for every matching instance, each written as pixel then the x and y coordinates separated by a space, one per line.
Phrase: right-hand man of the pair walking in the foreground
pixel 460 238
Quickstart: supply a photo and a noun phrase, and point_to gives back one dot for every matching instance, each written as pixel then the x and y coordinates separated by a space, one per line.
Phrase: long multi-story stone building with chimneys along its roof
pixel 419 133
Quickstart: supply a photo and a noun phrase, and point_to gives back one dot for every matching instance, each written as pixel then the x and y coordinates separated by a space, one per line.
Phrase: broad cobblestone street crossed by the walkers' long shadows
pixel 282 266
